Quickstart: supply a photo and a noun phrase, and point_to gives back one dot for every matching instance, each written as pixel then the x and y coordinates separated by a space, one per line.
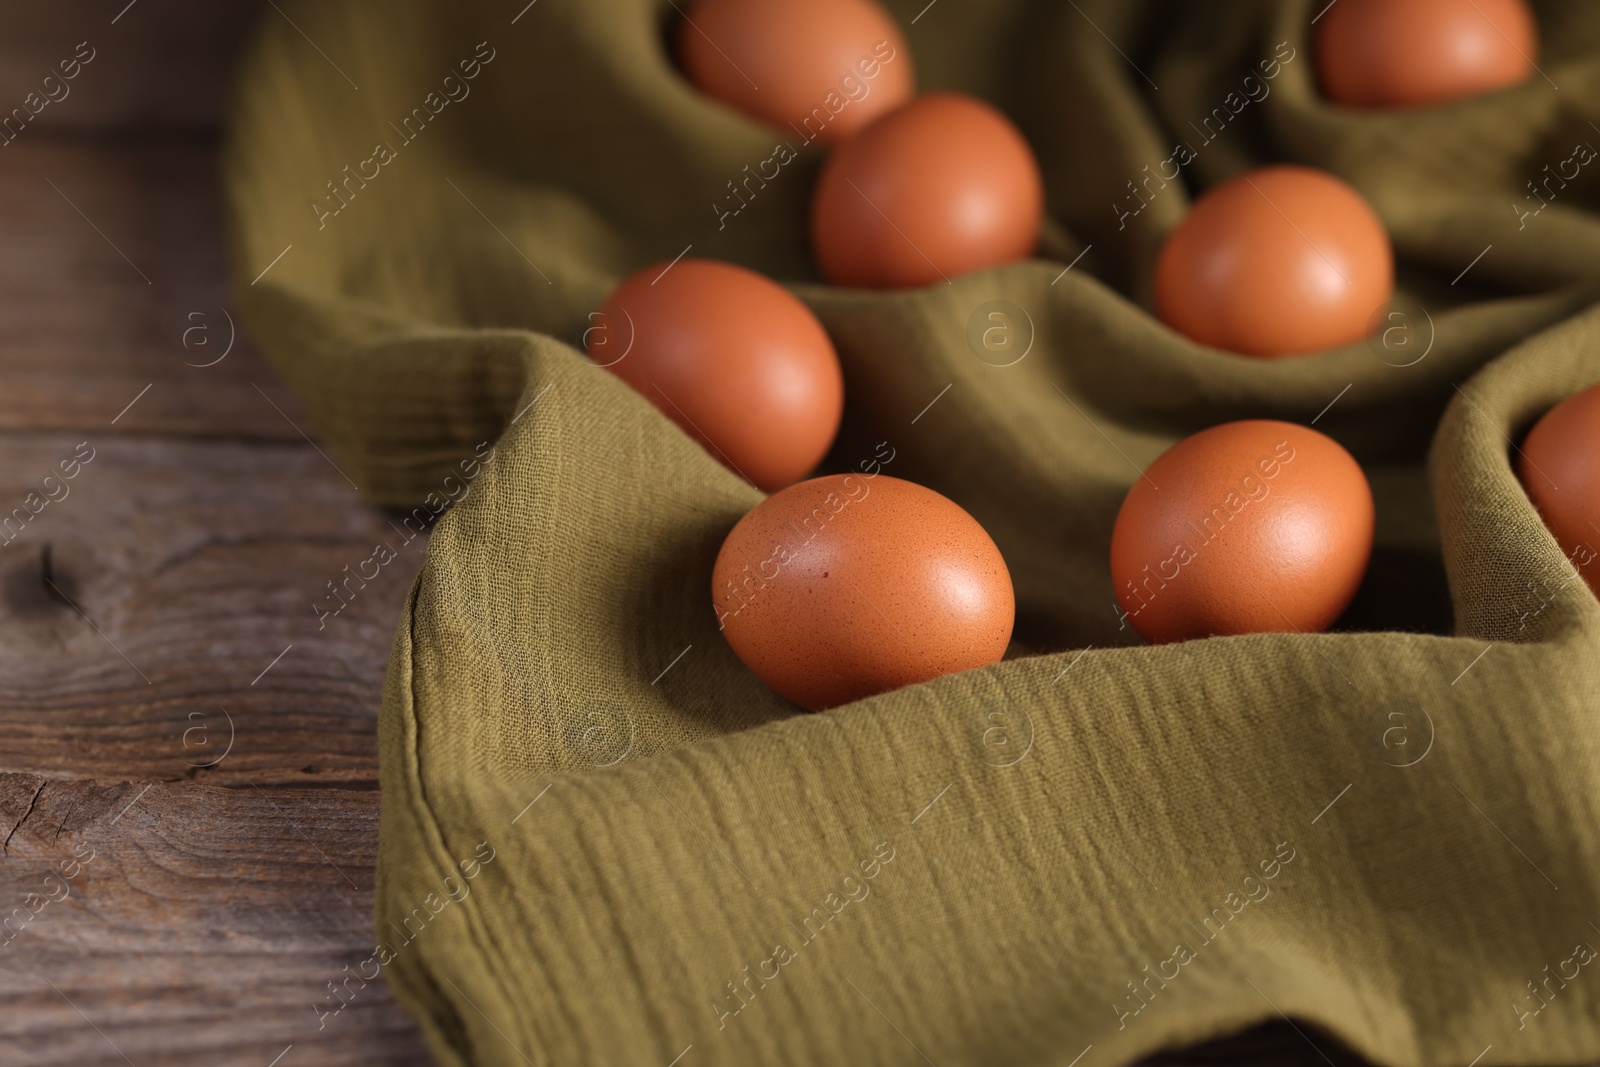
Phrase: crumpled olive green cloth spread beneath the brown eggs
pixel 606 842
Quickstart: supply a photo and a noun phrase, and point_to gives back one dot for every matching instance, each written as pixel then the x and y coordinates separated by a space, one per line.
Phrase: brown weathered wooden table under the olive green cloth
pixel 177 730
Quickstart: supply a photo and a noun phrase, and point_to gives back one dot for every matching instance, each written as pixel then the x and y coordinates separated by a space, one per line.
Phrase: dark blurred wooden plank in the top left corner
pixel 156 63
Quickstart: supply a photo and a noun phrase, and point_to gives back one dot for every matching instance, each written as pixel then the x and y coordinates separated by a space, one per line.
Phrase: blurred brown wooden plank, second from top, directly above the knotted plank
pixel 116 294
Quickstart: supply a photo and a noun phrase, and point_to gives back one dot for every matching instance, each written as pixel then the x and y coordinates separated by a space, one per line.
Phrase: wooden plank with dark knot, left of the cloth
pixel 170 593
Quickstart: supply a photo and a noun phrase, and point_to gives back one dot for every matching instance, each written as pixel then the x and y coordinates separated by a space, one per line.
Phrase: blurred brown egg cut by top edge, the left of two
pixel 820 70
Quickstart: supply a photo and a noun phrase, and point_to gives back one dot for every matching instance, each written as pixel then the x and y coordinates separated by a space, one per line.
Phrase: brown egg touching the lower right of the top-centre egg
pixel 937 190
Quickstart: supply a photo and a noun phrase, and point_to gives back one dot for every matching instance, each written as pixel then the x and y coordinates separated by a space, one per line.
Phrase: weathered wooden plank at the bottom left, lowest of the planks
pixel 201 925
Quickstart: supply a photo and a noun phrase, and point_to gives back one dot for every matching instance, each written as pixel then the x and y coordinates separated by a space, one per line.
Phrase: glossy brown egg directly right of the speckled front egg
pixel 1244 529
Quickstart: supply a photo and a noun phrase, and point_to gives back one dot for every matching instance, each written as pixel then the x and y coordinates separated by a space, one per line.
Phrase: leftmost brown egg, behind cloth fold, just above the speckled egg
pixel 734 359
